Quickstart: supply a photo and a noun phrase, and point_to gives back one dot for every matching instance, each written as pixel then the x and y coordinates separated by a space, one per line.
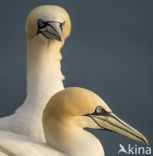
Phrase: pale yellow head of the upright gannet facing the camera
pixel 48 22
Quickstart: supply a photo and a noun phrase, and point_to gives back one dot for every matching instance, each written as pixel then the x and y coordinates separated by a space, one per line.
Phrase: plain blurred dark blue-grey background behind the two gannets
pixel 110 51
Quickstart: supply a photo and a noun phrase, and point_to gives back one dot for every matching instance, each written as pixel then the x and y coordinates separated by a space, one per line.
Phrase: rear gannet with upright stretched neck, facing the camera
pixel 47 27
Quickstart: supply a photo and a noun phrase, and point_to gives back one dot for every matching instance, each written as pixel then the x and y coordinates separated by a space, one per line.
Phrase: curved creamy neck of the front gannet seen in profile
pixel 71 139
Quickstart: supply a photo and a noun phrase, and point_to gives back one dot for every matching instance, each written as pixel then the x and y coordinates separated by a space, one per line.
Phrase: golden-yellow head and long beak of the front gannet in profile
pixel 87 110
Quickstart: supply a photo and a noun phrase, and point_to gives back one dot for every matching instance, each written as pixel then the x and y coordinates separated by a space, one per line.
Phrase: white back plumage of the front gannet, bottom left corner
pixel 12 144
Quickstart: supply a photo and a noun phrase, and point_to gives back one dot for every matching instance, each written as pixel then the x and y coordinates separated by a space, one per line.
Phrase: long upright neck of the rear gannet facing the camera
pixel 44 77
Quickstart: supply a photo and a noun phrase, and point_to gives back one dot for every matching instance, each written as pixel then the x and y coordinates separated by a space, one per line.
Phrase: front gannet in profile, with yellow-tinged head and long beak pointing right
pixel 65 116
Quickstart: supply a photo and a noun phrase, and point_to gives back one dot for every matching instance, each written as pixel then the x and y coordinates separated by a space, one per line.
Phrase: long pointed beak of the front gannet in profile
pixel 111 122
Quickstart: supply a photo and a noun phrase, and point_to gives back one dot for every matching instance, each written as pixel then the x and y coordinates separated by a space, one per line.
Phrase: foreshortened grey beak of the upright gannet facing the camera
pixel 50 29
